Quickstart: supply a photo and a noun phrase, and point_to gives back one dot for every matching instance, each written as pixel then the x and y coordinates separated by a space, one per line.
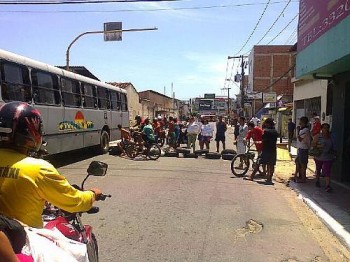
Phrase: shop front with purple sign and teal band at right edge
pixel 324 54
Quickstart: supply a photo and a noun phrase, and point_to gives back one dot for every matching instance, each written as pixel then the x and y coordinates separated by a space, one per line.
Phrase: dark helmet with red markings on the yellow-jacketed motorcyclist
pixel 20 126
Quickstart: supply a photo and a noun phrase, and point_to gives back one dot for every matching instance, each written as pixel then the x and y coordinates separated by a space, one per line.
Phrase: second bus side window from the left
pixel 45 88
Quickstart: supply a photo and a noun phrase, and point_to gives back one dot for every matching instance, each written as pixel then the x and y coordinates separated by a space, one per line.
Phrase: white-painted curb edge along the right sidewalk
pixel 333 225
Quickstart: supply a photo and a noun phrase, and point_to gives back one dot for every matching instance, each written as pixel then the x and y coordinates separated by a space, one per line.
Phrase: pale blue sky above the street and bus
pixel 188 51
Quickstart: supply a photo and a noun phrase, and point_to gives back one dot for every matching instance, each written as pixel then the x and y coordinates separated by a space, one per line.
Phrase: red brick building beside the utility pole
pixel 270 70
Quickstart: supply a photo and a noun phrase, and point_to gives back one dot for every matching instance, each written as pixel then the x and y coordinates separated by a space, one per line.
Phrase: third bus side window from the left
pixel 70 90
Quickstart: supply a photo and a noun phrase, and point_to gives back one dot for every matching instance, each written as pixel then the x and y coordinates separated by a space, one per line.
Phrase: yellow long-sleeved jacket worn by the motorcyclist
pixel 26 183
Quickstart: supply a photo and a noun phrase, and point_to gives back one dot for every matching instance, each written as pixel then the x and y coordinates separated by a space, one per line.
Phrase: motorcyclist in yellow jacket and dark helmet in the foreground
pixel 26 182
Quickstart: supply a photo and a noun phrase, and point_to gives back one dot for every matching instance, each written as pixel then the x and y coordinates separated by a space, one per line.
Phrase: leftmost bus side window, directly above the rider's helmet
pixel 15 83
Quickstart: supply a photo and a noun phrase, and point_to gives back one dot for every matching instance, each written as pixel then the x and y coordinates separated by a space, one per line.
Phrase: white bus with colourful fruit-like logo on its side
pixel 77 111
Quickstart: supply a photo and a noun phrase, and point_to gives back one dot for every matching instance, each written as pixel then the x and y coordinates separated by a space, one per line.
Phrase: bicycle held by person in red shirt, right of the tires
pixel 241 162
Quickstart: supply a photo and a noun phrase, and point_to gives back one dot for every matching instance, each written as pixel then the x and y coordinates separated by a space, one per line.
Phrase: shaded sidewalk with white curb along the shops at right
pixel 332 208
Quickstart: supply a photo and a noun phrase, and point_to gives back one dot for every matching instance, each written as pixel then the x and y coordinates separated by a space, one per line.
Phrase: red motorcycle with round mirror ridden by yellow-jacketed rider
pixel 70 224
